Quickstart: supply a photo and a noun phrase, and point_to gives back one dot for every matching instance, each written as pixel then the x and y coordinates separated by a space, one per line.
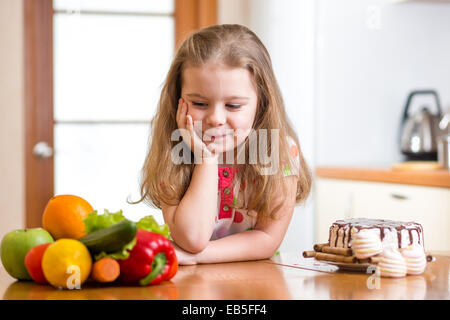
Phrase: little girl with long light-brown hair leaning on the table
pixel 219 107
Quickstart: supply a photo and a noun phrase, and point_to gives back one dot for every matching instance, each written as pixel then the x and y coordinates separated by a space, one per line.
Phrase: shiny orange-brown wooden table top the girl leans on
pixel 285 276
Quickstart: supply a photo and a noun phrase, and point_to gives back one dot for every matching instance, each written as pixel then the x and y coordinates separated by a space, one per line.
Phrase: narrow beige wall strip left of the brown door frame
pixel 12 211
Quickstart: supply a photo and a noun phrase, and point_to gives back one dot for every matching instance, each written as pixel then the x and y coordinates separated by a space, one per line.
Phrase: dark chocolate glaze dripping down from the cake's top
pixel 364 223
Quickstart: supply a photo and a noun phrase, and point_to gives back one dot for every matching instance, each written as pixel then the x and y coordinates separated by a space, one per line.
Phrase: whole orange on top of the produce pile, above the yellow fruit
pixel 63 216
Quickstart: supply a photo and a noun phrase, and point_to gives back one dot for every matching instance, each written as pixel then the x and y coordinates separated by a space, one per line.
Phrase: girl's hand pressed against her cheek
pixel 190 137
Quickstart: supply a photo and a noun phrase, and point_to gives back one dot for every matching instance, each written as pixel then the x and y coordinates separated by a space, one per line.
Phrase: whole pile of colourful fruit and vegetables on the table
pixel 76 244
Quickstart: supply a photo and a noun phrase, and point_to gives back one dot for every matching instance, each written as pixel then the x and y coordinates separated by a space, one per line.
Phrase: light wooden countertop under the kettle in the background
pixel 432 178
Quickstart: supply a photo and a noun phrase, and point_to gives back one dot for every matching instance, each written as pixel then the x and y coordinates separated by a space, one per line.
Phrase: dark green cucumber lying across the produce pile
pixel 111 239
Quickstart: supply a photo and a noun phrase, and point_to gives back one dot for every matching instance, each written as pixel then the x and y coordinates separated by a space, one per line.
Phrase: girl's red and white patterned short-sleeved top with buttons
pixel 231 193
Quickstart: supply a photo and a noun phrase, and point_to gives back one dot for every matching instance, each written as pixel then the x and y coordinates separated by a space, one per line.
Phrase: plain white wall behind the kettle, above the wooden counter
pixel 370 55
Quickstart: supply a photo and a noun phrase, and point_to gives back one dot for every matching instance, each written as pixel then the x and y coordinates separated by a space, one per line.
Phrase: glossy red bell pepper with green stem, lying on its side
pixel 151 260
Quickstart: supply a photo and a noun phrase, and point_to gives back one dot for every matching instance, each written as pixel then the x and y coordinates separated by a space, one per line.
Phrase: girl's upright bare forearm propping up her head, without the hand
pixel 191 223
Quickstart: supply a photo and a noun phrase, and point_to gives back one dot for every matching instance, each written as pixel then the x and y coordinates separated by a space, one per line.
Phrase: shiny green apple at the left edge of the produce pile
pixel 15 246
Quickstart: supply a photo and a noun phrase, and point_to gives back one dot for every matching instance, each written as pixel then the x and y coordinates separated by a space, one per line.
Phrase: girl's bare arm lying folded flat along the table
pixel 260 243
